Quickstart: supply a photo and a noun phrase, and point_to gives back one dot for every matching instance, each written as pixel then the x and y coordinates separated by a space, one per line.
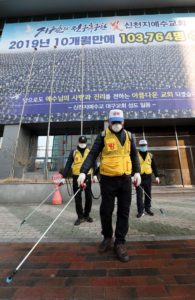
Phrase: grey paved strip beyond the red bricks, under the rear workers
pixel 176 222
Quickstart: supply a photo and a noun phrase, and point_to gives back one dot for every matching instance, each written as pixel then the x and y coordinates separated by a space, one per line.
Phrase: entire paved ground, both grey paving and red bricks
pixel 66 264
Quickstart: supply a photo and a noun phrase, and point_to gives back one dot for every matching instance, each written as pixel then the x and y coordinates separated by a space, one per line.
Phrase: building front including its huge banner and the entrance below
pixel 144 64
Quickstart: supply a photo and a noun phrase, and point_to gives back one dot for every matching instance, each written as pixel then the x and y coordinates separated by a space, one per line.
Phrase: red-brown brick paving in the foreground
pixel 160 270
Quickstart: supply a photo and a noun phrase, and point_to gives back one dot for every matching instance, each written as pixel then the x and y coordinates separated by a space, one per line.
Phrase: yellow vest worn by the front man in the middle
pixel 115 158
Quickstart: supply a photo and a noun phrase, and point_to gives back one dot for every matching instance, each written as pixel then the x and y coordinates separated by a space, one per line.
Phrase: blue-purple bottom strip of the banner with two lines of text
pixel 156 104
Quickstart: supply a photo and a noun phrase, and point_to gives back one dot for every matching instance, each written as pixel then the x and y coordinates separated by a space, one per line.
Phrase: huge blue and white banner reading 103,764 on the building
pixel 141 64
